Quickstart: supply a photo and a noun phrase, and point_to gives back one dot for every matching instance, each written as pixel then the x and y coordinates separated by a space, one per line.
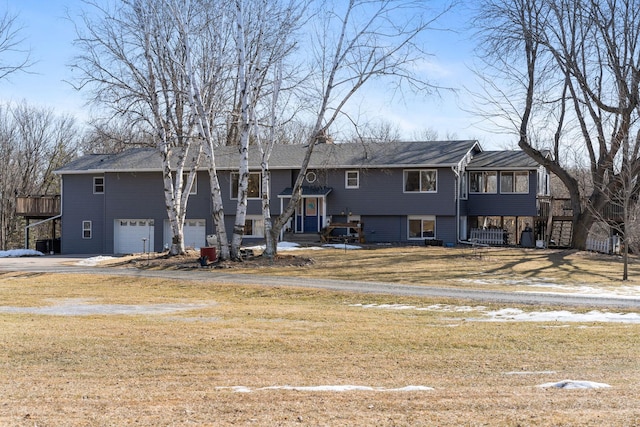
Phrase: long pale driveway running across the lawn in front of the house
pixel 69 264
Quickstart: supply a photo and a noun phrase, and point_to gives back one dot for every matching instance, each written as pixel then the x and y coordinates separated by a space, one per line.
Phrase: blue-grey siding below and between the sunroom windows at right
pixel 496 204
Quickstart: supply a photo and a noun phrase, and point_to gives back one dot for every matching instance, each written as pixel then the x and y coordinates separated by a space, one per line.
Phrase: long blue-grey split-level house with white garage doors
pixel 392 192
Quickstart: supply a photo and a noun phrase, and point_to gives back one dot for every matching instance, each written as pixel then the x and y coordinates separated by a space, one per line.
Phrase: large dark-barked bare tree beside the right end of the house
pixel 565 72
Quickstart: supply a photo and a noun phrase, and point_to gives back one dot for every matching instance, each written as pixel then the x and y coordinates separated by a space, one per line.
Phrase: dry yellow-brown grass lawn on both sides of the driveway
pixel 111 368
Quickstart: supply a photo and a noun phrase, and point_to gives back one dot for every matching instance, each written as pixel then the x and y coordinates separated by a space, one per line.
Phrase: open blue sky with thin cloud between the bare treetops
pixel 50 35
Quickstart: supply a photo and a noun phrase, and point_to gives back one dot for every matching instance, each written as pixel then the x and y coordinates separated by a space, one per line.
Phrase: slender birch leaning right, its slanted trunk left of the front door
pixel 357 42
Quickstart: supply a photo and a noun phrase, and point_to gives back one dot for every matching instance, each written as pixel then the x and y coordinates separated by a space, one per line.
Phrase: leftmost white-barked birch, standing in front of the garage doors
pixel 132 58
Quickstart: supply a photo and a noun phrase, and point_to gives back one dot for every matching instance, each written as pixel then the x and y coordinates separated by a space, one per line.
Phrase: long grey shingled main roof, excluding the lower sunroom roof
pixel 348 155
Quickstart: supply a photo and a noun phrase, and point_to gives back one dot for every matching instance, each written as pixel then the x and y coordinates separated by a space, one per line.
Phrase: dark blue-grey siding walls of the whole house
pixel 380 200
